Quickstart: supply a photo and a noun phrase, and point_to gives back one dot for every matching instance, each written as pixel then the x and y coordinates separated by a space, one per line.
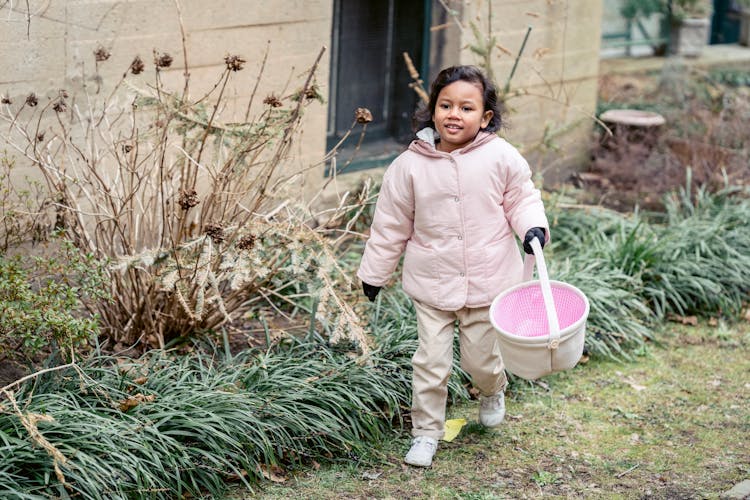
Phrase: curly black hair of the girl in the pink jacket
pixel 423 114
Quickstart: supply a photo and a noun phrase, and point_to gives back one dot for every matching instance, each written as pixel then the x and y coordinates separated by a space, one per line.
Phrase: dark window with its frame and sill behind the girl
pixel 369 38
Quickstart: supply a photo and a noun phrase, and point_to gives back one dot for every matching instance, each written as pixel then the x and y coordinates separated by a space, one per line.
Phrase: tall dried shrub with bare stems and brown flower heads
pixel 202 218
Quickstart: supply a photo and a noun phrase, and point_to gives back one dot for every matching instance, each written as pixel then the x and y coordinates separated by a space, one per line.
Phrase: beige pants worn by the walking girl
pixel 432 363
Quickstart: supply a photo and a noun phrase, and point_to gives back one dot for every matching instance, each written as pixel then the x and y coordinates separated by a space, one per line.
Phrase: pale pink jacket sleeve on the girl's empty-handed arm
pixel 392 226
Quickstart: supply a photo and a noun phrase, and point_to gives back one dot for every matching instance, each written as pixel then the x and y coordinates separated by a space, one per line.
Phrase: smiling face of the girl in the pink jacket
pixel 459 114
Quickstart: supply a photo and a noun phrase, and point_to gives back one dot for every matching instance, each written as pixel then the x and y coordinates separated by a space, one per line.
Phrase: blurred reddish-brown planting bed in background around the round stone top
pixel 703 143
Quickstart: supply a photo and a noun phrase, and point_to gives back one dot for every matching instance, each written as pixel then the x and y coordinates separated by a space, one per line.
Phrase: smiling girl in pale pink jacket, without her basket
pixel 451 204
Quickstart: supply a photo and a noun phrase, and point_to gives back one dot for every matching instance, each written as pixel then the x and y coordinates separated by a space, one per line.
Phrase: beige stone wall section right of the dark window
pixel 554 88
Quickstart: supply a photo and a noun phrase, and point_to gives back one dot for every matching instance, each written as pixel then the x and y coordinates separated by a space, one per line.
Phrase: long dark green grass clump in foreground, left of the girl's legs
pixel 163 426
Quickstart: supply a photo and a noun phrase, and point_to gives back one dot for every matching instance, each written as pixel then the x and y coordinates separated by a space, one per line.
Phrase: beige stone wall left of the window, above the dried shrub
pixel 51 46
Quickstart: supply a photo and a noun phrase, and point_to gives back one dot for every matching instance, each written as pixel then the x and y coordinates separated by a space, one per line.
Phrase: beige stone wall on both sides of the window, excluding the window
pixel 51 46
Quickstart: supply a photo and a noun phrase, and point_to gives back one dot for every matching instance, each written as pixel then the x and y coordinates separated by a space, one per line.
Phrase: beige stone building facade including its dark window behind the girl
pixel 551 47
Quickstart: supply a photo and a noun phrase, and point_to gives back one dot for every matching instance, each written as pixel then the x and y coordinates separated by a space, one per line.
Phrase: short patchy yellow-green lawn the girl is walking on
pixel 675 424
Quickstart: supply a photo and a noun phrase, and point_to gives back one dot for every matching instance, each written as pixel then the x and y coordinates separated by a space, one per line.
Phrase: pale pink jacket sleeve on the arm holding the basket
pixel 522 201
